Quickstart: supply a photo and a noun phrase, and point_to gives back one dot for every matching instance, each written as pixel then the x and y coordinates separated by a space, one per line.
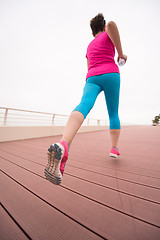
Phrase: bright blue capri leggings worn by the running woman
pixel 110 84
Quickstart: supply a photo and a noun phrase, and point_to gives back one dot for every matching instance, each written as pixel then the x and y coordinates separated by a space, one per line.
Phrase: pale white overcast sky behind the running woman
pixel 42 55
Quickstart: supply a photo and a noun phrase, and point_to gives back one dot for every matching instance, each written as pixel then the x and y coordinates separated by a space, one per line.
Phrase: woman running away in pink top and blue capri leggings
pixel 103 75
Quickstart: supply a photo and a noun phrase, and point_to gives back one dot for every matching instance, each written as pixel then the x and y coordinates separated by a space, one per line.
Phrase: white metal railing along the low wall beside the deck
pixel 19 117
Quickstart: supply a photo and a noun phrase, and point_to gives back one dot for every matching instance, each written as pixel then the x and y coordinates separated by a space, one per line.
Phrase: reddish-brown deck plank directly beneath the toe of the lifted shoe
pixel 95 216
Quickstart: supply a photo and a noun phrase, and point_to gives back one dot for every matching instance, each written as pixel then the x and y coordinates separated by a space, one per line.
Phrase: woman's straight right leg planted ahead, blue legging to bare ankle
pixel 111 90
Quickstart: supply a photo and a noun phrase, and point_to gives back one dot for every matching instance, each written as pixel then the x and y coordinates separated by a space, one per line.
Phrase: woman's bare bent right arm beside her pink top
pixel 113 33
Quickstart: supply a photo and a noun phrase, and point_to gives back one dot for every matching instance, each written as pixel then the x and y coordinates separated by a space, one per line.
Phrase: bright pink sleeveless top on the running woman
pixel 100 55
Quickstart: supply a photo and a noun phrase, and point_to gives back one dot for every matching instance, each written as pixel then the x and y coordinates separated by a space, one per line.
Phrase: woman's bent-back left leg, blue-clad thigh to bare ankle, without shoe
pixel 90 93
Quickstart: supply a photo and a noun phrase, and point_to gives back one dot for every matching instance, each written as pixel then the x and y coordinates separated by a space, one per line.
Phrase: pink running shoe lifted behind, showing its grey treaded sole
pixel 57 157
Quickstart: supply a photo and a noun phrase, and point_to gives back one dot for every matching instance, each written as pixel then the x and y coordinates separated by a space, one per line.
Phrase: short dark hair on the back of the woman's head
pixel 97 24
